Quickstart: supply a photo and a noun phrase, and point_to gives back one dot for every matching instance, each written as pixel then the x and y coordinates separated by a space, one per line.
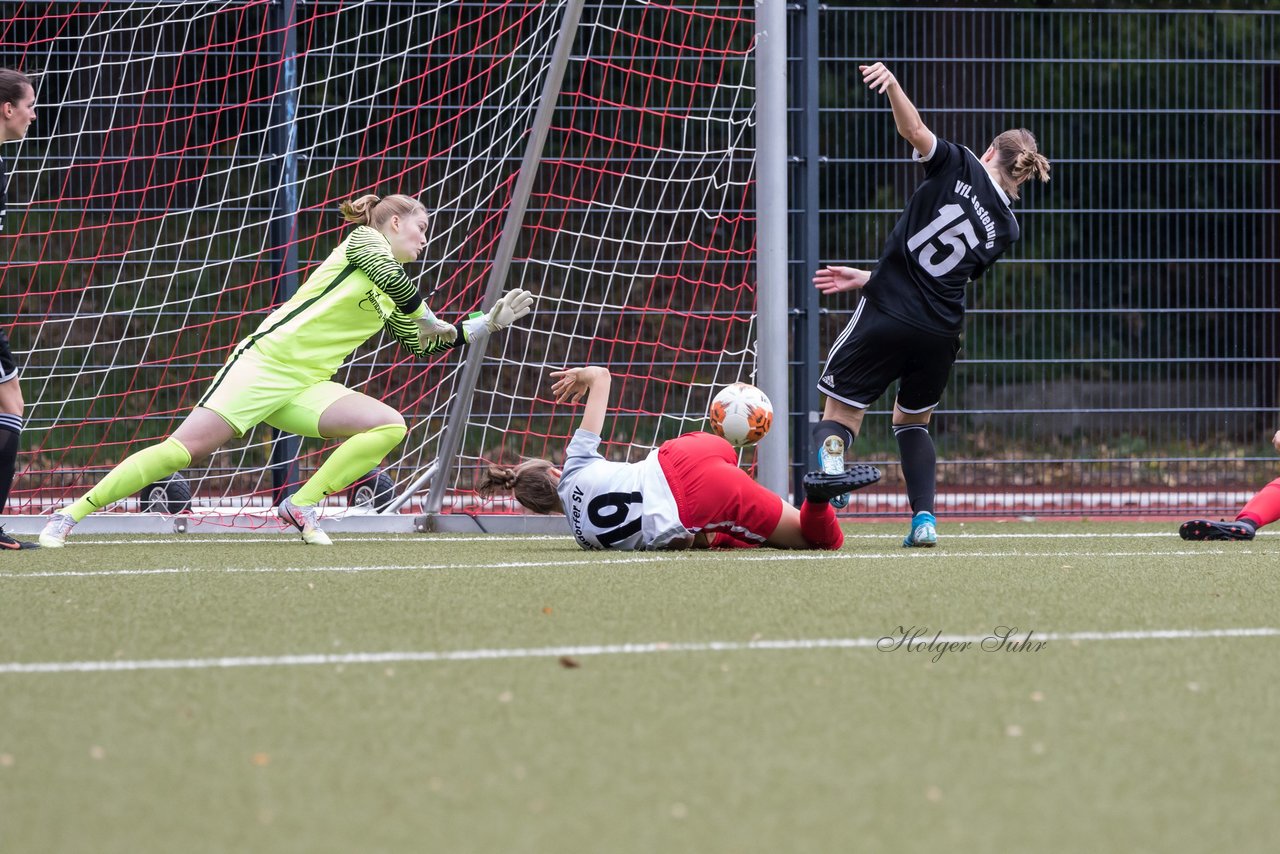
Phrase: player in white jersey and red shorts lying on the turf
pixel 688 494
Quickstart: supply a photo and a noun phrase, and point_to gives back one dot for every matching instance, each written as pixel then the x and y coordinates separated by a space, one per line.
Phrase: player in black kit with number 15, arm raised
pixel 908 326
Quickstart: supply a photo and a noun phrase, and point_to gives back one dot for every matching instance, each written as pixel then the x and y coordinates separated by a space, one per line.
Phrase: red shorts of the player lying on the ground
pixel 712 494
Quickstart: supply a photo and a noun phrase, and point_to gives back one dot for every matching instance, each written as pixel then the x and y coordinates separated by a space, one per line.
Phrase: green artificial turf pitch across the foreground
pixel 518 695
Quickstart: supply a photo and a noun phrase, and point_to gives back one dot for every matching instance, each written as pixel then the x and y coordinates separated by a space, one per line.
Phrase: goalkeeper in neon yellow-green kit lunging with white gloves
pixel 281 375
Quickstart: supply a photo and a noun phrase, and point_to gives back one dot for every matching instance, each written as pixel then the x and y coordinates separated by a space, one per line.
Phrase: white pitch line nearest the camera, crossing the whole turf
pixel 609 650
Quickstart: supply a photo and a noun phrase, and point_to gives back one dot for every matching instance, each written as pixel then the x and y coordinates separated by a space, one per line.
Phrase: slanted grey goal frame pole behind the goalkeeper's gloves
pixel 461 409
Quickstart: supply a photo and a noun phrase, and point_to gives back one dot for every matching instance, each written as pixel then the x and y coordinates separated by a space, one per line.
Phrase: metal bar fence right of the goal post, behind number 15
pixel 1124 357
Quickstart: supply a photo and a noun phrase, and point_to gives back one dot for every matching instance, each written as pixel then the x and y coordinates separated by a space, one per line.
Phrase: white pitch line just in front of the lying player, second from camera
pixel 647 558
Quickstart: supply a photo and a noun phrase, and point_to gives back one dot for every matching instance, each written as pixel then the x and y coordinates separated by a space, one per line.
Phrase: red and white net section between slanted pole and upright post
pixel 641 243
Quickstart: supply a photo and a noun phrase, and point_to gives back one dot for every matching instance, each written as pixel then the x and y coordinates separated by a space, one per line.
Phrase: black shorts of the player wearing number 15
pixel 875 350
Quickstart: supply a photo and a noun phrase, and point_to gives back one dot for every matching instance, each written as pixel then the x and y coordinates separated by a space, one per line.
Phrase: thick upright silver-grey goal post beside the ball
pixel 771 240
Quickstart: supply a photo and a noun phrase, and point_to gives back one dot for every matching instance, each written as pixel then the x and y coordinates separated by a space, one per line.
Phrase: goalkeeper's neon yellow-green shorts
pixel 252 390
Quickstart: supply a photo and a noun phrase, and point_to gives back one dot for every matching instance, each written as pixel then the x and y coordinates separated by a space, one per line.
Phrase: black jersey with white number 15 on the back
pixel 957 225
